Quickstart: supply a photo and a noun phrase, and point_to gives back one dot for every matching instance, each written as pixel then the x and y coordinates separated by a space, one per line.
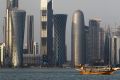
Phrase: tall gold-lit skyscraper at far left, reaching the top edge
pixel 11 4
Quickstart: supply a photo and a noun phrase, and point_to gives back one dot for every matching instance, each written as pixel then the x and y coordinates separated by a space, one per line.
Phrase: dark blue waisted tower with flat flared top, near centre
pixel 59 38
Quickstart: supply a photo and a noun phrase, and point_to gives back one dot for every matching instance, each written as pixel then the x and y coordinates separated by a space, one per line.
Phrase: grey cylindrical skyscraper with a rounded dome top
pixel 78 39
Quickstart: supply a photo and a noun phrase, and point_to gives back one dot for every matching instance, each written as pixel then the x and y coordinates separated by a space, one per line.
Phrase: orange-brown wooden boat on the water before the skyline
pixel 96 71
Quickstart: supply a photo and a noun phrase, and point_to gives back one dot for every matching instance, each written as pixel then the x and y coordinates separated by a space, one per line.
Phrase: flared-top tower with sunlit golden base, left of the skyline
pixel 18 25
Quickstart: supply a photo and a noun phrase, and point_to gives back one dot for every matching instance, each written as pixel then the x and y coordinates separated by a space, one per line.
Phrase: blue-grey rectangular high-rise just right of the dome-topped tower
pixel 94 41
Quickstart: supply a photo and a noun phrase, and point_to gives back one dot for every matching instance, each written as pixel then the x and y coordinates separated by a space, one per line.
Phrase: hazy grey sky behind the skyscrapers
pixel 107 10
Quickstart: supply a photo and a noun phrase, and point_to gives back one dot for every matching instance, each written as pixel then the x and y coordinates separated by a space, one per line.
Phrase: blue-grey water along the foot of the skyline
pixel 52 74
